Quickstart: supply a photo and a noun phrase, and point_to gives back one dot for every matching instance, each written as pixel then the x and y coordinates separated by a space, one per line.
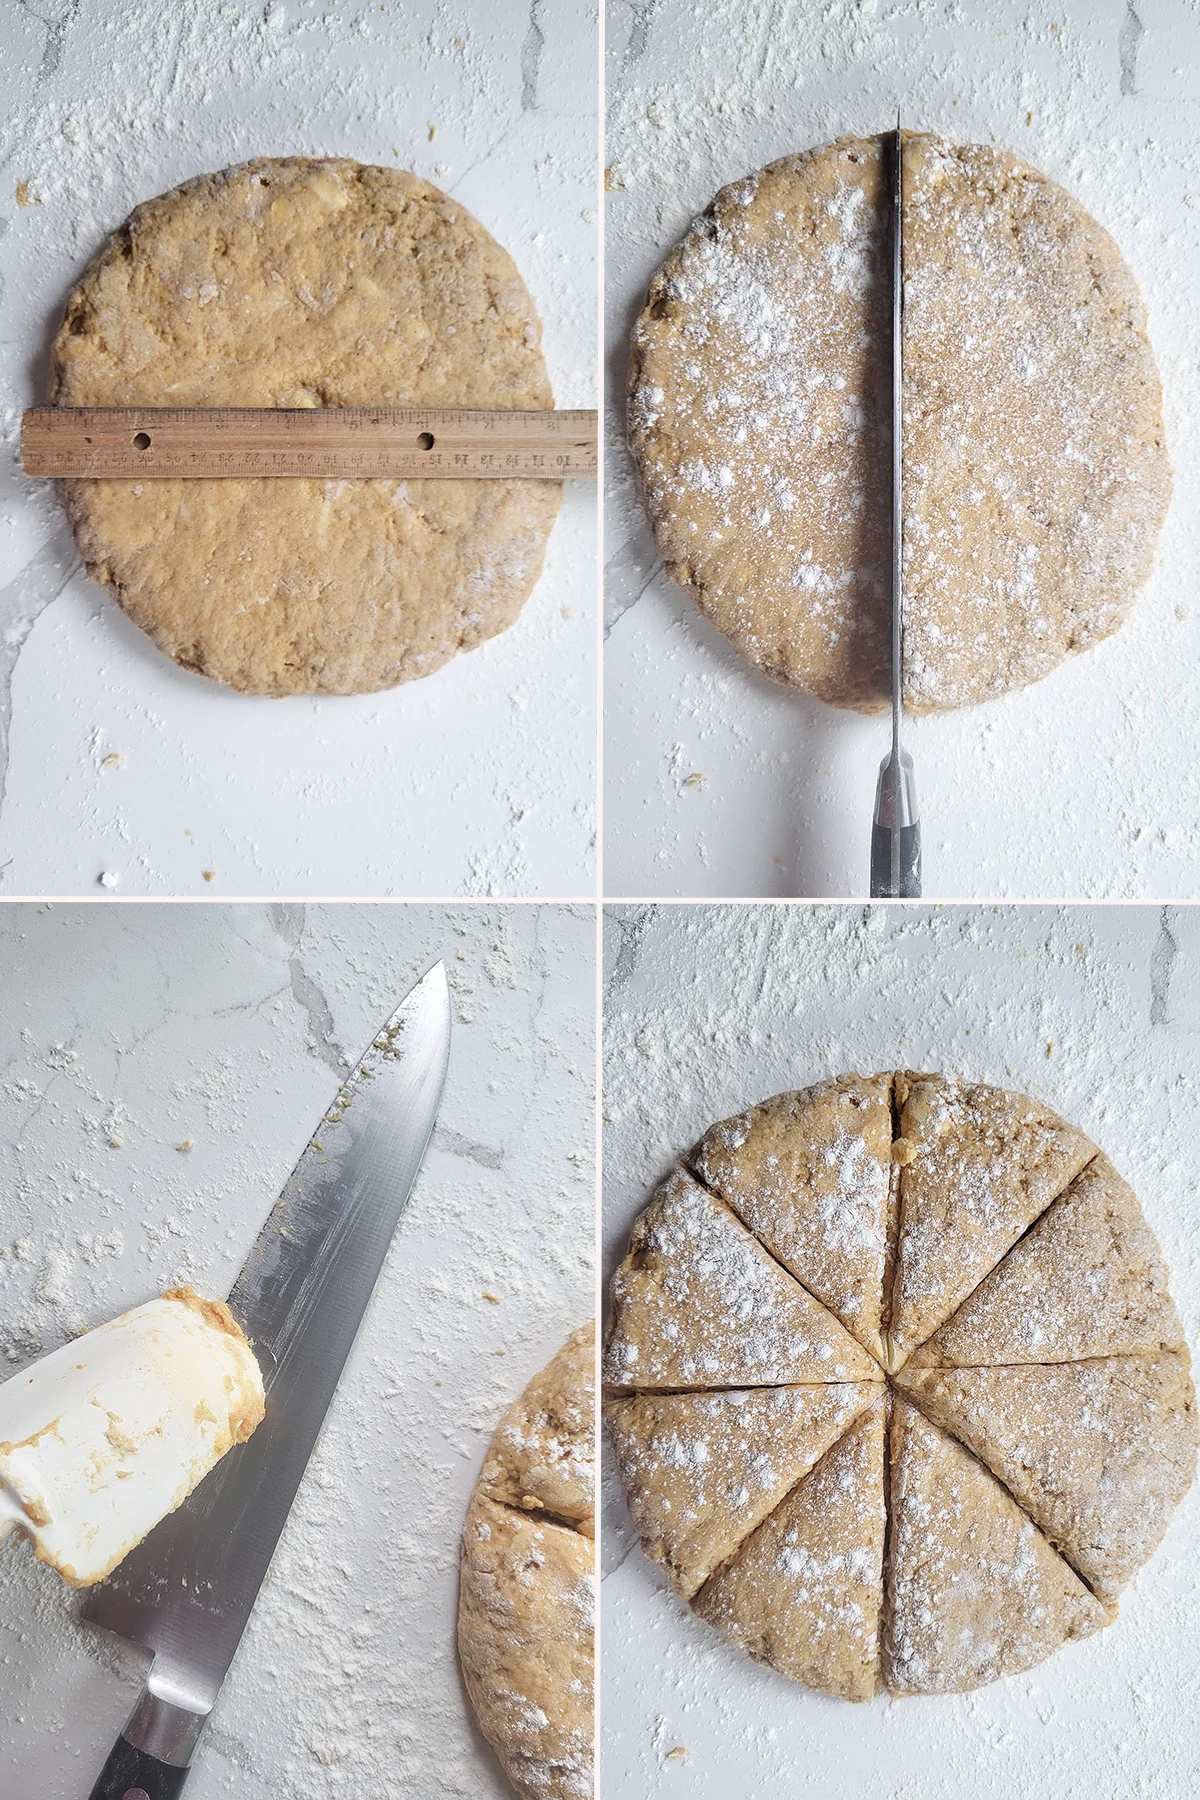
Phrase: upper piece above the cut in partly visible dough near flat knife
pixel 542 1457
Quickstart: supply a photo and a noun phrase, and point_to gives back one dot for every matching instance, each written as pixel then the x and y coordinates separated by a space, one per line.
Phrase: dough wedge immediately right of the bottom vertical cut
pixel 974 1590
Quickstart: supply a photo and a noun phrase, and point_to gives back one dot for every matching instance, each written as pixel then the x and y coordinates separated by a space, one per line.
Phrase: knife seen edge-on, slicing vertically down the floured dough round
pixel 897 831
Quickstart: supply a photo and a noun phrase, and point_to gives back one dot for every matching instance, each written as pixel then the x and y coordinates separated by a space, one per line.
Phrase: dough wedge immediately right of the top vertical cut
pixel 978 1167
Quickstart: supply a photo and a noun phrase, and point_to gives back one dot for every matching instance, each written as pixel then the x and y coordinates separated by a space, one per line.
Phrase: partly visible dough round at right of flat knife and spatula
pixel 528 1581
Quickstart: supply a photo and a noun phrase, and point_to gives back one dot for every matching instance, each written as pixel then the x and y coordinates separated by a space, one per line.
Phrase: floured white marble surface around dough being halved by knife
pixel 1084 786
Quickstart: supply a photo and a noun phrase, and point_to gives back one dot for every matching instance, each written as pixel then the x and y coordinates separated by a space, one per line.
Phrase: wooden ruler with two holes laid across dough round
pixel 357 444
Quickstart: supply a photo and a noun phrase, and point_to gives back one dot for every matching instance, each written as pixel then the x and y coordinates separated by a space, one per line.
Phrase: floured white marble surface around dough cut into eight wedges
pixel 1095 1011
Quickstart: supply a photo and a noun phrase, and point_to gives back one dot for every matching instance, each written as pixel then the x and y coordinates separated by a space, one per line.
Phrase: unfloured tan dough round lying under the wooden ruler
pixel 307 283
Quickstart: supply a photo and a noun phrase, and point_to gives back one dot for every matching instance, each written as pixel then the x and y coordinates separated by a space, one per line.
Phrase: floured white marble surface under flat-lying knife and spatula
pixel 130 1030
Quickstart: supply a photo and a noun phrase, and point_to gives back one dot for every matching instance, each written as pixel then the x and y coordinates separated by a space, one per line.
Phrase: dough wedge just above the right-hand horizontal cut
pixel 1086 1281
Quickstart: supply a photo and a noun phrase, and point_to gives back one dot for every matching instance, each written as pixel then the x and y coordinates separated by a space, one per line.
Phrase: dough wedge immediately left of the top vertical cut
pixel 809 1173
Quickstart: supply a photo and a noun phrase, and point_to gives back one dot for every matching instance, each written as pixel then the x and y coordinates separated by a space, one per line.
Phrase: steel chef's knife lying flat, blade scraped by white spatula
pixel 190 1588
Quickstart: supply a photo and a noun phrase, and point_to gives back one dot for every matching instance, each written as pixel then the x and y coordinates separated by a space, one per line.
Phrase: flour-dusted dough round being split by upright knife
pixel 1035 463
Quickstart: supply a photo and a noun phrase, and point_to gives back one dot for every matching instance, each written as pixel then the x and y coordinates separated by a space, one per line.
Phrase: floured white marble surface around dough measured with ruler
pixel 478 780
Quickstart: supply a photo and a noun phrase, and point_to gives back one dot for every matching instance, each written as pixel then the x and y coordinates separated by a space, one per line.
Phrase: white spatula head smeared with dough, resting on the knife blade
pixel 103 1439
